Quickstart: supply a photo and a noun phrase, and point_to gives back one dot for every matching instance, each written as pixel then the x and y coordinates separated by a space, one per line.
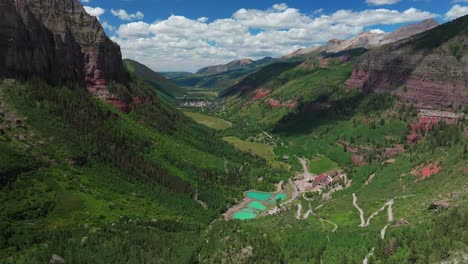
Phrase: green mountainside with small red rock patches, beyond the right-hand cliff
pixel 271 93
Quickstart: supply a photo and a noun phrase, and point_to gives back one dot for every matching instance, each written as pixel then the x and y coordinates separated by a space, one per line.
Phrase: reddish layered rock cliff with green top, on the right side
pixel 429 69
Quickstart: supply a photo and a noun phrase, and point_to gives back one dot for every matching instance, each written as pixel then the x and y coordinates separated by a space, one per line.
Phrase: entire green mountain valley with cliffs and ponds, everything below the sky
pixel 351 152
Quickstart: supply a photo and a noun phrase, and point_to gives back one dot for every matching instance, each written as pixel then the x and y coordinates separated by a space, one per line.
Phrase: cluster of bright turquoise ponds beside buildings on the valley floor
pixel 260 203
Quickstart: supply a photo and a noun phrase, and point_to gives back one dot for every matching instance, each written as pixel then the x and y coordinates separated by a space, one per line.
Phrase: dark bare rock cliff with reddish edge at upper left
pixel 58 40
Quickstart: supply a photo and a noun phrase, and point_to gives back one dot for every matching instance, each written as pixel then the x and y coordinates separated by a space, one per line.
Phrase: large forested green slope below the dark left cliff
pixel 70 161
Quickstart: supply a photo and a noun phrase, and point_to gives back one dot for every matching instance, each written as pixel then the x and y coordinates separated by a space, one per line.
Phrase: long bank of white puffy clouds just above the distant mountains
pixel 180 43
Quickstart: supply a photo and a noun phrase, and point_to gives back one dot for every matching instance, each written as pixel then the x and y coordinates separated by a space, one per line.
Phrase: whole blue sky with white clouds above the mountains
pixel 170 35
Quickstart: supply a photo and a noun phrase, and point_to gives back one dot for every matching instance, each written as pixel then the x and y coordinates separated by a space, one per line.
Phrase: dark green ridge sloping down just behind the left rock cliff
pixel 158 81
